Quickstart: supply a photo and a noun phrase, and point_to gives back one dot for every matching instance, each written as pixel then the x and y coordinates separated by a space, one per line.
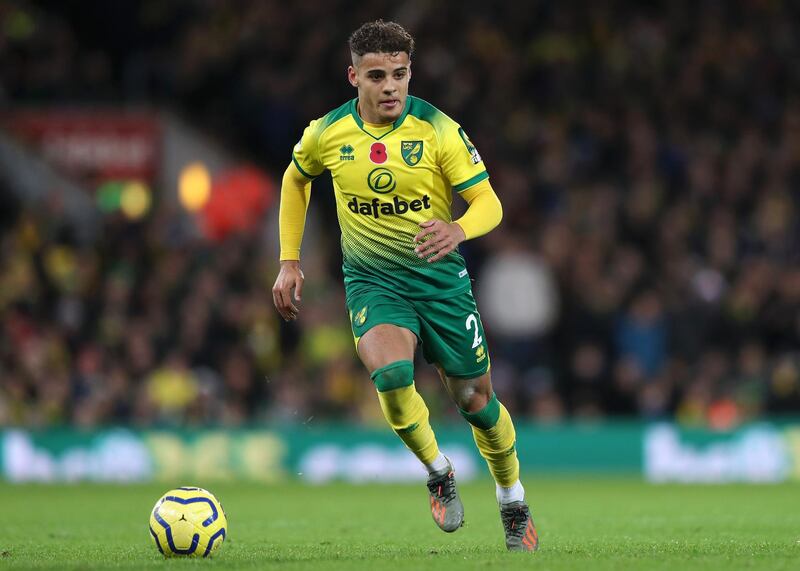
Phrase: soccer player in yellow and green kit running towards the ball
pixel 395 161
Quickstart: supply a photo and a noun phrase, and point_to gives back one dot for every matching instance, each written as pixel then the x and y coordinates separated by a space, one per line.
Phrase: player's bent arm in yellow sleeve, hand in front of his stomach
pixel 483 214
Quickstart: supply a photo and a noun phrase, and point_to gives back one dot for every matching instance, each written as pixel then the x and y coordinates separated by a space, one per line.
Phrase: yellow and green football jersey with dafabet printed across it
pixel 387 180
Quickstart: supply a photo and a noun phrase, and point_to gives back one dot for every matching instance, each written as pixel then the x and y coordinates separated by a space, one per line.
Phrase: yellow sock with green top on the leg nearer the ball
pixel 405 410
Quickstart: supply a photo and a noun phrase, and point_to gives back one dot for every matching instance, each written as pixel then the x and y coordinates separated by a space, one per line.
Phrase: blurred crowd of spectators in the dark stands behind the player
pixel 648 159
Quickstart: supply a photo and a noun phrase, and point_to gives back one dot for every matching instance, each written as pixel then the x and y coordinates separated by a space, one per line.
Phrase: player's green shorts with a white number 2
pixel 449 330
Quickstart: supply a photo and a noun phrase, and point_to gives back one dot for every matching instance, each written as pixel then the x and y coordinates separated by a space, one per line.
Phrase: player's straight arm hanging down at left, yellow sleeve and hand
pixel 295 195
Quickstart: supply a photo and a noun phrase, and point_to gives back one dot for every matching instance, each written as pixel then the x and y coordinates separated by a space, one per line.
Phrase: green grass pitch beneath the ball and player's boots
pixel 597 524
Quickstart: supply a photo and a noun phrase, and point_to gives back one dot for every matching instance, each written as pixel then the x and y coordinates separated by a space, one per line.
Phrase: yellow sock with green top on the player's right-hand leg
pixel 494 434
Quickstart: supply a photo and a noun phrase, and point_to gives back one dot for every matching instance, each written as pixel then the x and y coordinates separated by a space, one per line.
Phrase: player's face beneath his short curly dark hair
pixel 382 82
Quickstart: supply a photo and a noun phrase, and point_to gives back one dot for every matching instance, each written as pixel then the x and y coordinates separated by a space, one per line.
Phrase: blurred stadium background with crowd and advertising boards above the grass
pixel 641 297
